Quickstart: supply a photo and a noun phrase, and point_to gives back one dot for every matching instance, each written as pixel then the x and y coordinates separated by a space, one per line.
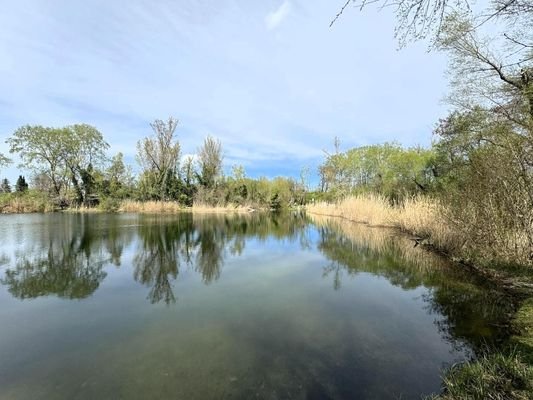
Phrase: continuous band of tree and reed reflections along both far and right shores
pixel 66 256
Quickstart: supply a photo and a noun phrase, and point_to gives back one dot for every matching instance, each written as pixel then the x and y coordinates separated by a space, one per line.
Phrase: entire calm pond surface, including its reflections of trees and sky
pixel 216 307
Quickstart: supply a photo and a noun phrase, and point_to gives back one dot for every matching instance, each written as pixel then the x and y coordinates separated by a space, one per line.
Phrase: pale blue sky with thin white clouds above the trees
pixel 269 78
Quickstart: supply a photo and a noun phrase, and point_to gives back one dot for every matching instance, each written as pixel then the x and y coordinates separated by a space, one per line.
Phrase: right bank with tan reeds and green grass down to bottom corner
pixel 507 374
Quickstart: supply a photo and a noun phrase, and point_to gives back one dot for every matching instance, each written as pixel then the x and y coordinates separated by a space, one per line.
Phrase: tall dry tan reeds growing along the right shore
pixel 457 231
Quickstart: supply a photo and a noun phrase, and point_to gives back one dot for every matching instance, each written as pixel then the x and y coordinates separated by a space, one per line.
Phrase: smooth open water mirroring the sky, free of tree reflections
pixel 271 320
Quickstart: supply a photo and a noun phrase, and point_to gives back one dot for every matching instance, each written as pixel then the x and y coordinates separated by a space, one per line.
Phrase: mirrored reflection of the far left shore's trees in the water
pixel 66 255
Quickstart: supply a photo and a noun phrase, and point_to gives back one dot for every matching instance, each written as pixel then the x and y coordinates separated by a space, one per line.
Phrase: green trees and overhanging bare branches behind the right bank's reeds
pixel 480 164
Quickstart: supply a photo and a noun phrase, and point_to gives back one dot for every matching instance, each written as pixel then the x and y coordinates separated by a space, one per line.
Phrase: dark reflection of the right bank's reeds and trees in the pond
pixel 468 313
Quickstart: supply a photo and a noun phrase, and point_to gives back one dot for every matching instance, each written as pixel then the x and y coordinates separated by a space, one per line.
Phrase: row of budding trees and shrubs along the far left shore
pixel 71 167
